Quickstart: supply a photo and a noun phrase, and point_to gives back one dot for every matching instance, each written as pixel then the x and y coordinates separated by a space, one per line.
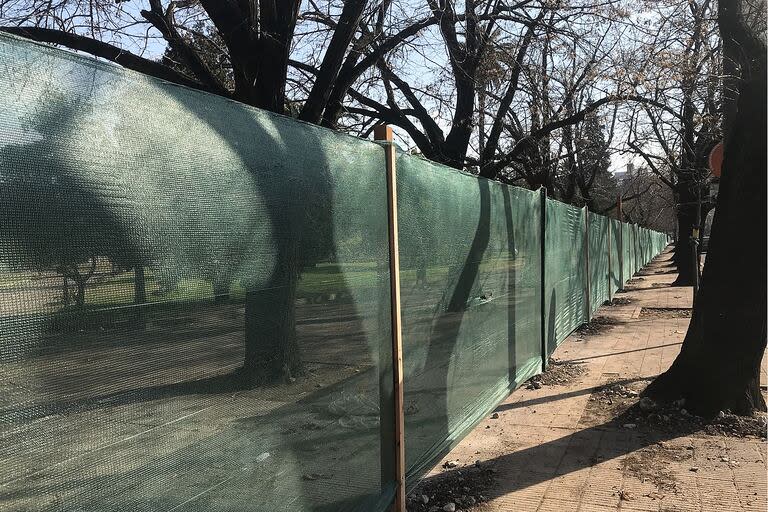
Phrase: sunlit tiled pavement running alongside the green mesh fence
pixel 551 449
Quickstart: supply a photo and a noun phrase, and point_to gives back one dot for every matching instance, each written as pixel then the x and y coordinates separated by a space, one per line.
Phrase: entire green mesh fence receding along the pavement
pixel 194 298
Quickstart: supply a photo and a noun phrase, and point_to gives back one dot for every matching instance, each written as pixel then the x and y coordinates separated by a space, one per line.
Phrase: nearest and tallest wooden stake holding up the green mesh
pixel 383 133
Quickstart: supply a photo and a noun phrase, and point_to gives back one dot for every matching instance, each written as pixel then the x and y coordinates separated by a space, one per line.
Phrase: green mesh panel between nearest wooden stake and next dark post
pixel 471 295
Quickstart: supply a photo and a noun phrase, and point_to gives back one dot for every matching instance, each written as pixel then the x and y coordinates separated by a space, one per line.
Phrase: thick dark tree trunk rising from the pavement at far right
pixel 719 364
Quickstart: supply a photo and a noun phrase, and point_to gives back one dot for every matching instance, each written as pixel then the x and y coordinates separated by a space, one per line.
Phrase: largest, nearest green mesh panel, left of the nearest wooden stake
pixel 223 330
